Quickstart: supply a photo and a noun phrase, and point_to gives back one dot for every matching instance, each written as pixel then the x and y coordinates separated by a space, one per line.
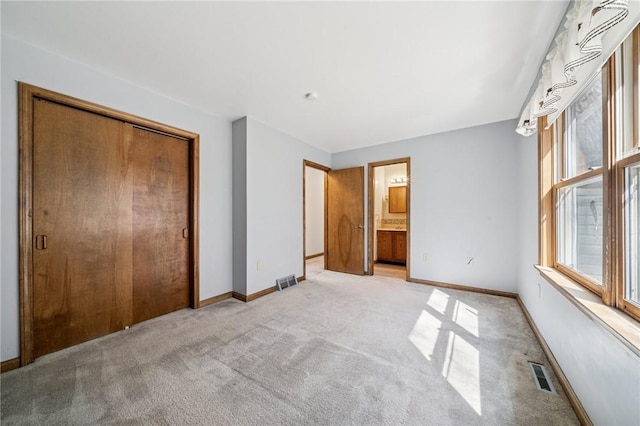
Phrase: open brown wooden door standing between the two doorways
pixel 345 220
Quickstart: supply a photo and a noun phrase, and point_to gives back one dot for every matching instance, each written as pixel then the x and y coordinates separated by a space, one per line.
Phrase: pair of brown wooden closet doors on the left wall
pixel 110 219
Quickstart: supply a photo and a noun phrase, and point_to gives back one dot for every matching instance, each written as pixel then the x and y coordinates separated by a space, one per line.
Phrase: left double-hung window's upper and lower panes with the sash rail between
pixel 579 187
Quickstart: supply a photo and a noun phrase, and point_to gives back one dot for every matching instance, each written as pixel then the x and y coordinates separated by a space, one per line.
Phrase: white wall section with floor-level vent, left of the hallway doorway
pixel 274 203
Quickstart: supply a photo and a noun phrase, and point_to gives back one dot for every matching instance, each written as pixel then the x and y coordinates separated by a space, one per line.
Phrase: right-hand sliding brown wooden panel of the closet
pixel 160 224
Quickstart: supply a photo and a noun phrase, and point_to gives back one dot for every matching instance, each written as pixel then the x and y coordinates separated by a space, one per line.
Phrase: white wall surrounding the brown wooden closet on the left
pixel 22 62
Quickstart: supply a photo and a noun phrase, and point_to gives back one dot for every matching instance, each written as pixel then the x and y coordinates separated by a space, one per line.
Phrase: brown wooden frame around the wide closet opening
pixel 26 94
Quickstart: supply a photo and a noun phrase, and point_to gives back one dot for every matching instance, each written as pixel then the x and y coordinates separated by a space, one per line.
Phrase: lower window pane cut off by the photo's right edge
pixel 632 221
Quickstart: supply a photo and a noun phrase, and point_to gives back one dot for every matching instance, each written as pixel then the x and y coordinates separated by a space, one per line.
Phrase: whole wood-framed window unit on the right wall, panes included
pixel 590 184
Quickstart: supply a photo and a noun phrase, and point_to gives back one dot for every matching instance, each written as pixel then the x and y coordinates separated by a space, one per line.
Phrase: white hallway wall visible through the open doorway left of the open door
pixel 314 210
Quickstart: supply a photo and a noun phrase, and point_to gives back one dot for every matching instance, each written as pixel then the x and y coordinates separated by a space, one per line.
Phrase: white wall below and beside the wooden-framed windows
pixel 603 372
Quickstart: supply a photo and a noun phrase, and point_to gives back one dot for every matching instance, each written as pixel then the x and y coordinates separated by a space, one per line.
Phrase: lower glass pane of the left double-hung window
pixel 579 240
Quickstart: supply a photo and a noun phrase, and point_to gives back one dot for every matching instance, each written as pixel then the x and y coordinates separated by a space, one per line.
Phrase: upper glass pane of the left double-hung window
pixel 583 134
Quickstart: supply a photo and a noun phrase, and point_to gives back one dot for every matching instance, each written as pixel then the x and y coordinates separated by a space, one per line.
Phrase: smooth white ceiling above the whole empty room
pixel 383 71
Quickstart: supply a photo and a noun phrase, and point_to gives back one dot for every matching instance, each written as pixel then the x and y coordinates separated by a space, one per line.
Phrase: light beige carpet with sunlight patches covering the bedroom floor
pixel 333 350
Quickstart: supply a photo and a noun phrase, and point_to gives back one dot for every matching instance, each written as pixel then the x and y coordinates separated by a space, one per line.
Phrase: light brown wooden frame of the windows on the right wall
pixel 551 168
